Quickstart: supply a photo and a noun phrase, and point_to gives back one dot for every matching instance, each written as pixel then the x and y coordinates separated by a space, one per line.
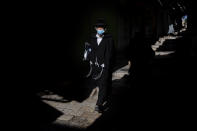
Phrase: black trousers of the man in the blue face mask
pixel 104 85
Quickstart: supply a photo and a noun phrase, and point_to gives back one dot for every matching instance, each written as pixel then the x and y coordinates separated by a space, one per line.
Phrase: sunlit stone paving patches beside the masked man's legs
pixel 76 114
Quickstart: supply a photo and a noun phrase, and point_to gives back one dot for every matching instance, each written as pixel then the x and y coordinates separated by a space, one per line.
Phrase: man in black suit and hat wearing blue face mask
pixel 101 58
